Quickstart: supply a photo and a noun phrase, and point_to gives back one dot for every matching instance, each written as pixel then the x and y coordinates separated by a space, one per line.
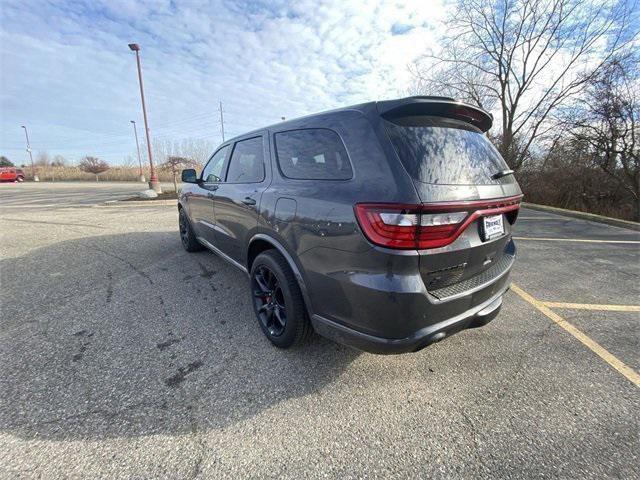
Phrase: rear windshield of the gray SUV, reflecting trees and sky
pixel 443 151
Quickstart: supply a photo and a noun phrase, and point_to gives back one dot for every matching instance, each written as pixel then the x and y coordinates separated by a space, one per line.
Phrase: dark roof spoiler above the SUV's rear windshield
pixel 436 106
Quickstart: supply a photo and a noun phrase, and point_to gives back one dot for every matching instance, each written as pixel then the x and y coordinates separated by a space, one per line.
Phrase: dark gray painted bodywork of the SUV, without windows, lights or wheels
pixel 346 280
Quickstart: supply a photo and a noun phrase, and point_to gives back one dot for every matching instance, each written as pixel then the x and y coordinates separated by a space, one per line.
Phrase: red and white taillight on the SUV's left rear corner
pixel 426 225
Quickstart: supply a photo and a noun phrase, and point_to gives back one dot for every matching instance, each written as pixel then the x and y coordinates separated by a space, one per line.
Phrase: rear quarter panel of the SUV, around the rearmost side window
pixel 322 234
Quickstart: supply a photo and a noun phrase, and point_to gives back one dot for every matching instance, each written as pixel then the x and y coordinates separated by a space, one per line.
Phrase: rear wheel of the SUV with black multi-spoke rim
pixel 277 301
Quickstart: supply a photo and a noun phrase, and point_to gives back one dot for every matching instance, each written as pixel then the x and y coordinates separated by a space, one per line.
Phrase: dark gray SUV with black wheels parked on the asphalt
pixel 385 226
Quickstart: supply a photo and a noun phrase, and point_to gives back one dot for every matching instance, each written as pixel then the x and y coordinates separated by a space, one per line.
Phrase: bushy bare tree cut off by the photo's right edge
pixel 607 119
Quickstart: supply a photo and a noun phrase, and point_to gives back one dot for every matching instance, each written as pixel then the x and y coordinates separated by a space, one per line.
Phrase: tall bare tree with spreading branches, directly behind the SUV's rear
pixel 525 58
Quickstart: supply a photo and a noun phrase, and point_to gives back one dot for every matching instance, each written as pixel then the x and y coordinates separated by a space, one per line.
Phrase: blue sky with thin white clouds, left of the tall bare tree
pixel 68 74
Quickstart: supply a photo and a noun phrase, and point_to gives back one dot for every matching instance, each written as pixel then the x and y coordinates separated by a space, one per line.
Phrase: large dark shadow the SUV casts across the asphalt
pixel 128 335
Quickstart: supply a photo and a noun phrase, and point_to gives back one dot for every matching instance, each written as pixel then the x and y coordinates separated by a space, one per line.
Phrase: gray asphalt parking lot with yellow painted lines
pixel 124 356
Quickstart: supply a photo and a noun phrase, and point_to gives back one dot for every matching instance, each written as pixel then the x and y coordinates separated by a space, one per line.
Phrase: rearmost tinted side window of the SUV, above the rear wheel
pixel 316 154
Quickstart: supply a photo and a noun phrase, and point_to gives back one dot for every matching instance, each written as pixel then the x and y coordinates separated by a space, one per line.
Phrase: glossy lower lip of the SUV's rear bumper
pixel 475 317
